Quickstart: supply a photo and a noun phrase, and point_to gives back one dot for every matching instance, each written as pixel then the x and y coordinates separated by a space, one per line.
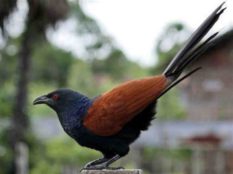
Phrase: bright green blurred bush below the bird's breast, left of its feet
pixel 60 152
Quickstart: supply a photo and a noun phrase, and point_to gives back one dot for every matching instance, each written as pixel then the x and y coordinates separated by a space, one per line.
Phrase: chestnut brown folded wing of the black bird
pixel 111 111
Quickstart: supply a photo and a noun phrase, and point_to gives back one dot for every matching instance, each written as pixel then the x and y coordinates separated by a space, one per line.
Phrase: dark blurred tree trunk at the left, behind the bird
pixel 20 122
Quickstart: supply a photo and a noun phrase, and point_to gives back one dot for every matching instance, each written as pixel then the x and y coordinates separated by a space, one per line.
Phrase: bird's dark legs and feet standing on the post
pixel 103 164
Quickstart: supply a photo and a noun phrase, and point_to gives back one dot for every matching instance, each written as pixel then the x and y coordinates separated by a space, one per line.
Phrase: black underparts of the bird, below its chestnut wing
pixel 118 143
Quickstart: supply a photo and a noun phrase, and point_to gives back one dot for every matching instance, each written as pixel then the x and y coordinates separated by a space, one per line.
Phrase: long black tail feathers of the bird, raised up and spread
pixel 191 50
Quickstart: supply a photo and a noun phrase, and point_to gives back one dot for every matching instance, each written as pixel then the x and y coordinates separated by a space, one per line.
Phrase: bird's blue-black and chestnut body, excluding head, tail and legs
pixel 123 113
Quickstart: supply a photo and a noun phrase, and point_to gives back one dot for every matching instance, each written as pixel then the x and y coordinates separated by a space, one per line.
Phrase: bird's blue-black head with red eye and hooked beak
pixel 62 99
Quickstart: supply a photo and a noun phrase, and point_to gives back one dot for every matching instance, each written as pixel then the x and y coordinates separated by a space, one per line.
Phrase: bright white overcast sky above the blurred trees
pixel 137 24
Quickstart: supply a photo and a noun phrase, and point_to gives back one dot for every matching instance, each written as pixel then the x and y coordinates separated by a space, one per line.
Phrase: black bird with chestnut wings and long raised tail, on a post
pixel 112 121
